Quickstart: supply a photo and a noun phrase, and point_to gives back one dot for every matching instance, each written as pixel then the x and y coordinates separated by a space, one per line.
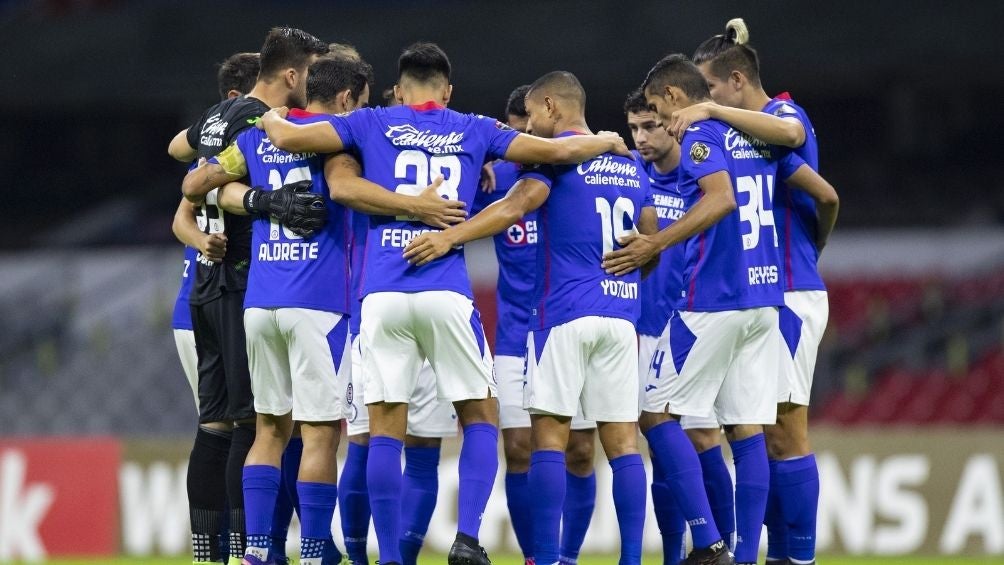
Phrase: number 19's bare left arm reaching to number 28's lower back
pixel 527 195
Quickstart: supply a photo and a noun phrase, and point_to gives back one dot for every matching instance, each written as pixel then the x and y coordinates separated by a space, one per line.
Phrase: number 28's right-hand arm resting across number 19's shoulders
pixel 532 150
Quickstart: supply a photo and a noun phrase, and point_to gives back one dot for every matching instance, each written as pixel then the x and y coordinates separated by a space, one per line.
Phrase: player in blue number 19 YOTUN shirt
pixel 582 347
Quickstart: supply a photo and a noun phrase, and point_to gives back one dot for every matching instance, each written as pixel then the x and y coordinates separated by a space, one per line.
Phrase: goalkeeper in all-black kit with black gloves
pixel 226 409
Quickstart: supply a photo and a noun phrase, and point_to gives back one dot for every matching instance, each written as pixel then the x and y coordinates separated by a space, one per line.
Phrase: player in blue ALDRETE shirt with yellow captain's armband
pixel 299 363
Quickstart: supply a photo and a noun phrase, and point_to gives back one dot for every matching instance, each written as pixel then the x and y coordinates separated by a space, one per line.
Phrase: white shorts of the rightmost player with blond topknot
pixel 803 323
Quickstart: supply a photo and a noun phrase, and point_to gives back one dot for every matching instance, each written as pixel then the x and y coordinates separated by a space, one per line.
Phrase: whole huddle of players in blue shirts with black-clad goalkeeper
pixel 672 291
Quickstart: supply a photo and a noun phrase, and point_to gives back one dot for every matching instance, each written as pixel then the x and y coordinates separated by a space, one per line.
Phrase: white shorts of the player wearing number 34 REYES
pixel 721 366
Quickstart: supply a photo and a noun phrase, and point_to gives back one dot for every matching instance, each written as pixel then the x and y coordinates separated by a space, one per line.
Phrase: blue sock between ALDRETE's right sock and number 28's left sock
pixel 354 503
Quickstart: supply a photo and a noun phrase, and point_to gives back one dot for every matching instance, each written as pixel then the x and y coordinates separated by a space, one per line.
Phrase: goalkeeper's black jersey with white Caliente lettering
pixel 216 129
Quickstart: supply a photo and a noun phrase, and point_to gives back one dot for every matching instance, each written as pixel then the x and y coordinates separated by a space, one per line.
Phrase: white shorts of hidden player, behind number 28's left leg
pixel 428 417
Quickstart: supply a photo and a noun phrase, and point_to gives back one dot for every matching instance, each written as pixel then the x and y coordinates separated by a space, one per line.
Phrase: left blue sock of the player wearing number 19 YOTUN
pixel 548 483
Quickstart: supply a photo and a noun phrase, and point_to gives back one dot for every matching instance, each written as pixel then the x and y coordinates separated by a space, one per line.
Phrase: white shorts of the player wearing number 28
pixel 400 332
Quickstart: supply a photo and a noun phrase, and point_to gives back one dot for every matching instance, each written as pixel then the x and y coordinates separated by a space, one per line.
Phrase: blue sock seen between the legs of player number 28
pixel 420 489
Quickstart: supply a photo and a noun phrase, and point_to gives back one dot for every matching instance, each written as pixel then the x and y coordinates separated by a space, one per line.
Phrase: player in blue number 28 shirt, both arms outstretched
pixel 411 315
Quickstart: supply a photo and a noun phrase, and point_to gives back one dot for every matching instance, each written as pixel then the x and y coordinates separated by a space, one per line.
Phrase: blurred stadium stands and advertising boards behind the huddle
pixel 909 403
